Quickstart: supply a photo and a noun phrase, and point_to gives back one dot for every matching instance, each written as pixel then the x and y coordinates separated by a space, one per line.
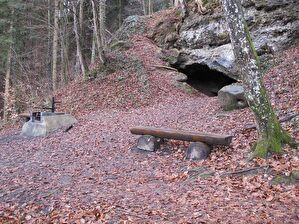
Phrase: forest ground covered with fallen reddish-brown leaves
pixel 90 174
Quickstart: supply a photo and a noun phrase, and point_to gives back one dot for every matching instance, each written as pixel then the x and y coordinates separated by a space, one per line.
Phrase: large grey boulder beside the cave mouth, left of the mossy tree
pixel 232 97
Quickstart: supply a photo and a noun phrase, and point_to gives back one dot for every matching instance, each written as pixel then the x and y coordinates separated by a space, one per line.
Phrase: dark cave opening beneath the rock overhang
pixel 206 80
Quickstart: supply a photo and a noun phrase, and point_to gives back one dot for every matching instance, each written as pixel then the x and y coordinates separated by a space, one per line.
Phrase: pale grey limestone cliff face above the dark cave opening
pixel 204 39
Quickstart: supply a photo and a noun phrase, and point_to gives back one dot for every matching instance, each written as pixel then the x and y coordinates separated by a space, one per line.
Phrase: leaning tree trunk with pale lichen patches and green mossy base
pixel 271 136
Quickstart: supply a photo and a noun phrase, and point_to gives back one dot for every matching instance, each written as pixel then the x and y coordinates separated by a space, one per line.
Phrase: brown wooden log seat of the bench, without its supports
pixel 209 138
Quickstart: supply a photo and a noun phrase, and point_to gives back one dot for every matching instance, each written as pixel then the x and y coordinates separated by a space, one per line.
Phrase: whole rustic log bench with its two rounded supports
pixel 199 149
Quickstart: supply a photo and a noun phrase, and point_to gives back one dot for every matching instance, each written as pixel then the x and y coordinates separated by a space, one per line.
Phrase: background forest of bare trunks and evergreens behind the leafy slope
pixel 46 44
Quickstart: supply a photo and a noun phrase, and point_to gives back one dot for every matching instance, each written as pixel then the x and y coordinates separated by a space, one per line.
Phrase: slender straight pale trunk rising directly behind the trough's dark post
pixel 55 44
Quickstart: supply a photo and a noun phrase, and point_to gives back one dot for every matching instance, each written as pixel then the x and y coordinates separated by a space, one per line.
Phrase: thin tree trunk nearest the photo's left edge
pixel 7 79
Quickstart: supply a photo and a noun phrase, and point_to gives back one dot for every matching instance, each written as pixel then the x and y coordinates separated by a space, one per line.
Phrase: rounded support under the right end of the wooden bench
pixel 198 151
